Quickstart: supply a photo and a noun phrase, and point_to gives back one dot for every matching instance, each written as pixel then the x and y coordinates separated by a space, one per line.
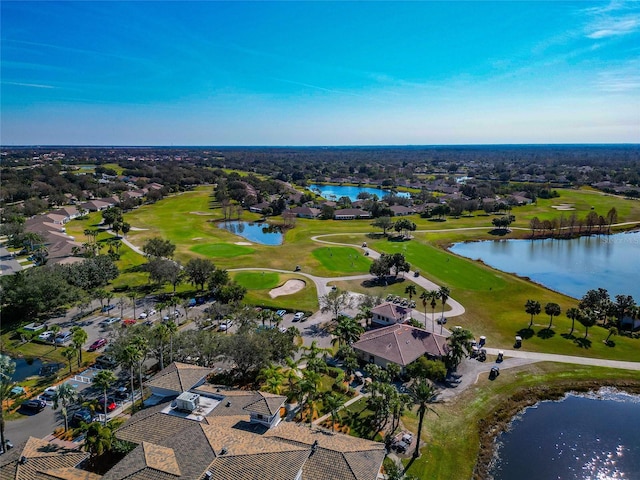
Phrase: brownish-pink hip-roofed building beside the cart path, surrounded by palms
pixel 399 344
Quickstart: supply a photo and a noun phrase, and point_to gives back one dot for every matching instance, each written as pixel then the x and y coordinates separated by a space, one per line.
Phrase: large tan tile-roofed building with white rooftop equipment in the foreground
pixel 228 441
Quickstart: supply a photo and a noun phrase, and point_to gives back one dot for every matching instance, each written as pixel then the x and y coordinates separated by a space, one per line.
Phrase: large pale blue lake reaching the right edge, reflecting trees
pixel 568 266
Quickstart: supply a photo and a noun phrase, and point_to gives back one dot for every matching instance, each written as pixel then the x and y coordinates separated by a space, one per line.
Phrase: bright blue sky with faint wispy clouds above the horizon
pixel 319 73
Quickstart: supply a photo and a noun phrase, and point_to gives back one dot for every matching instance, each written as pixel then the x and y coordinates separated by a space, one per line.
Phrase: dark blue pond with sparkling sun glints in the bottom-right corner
pixel 581 437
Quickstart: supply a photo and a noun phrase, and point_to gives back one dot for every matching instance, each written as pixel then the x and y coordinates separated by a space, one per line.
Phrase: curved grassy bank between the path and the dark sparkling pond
pixel 459 437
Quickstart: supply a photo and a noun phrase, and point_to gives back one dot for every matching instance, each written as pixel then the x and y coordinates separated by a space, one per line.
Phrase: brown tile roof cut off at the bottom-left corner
pixel 38 459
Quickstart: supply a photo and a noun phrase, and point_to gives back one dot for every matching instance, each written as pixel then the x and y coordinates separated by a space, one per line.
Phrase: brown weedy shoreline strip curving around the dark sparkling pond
pixel 498 421
